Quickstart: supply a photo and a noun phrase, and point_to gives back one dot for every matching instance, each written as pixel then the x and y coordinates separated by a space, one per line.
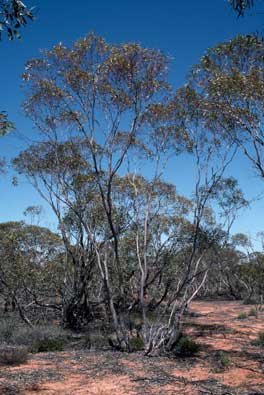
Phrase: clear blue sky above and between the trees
pixel 181 29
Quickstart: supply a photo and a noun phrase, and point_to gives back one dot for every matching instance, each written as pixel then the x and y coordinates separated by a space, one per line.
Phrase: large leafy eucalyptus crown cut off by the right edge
pixel 229 83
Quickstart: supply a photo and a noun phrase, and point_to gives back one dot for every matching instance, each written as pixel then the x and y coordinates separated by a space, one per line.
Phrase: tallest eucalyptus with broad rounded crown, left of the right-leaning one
pixel 98 94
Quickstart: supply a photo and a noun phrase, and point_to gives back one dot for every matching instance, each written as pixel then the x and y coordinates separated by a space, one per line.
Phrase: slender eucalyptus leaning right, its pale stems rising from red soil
pixel 214 205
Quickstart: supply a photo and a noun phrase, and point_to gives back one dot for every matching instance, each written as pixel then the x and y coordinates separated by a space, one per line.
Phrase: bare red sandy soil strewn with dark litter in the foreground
pixel 87 372
